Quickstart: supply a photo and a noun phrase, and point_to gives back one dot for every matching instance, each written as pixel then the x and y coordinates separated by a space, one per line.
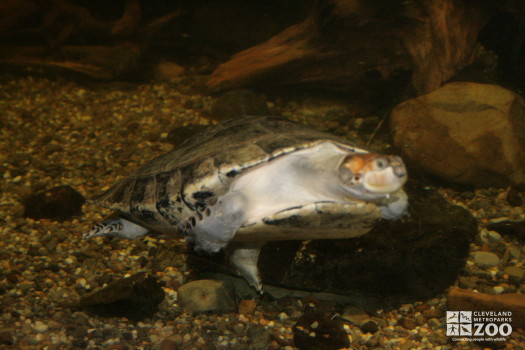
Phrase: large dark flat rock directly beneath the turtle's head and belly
pixel 398 261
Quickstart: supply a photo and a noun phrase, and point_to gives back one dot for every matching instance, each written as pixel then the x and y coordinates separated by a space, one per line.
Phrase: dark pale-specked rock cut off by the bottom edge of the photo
pixel 318 331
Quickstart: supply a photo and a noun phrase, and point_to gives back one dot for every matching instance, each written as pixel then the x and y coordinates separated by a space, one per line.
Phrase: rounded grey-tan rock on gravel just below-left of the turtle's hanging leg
pixel 207 296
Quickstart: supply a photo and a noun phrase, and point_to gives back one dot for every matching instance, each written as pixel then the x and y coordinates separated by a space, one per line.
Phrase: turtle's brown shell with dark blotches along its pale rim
pixel 169 191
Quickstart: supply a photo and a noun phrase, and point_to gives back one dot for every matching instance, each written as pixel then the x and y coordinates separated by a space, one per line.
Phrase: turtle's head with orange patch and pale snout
pixel 369 176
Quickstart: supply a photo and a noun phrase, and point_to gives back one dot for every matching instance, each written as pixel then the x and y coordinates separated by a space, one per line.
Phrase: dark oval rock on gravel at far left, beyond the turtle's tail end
pixel 59 203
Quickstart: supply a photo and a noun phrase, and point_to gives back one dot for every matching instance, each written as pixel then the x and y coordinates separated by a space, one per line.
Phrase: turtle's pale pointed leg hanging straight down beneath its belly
pixel 245 256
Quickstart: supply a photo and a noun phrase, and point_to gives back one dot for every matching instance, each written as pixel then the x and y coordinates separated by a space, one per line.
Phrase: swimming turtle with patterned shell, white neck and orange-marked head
pixel 244 182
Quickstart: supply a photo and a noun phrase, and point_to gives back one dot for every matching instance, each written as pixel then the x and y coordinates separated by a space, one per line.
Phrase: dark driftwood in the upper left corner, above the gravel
pixel 69 38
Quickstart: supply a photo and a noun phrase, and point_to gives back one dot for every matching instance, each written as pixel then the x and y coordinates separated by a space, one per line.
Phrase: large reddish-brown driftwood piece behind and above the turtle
pixel 346 42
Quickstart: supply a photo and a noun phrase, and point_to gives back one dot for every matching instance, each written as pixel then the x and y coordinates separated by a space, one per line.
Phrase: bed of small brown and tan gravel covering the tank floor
pixel 57 132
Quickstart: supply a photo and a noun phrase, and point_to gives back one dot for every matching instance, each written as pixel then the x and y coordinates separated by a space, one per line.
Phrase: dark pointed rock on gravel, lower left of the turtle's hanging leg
pixel 135 297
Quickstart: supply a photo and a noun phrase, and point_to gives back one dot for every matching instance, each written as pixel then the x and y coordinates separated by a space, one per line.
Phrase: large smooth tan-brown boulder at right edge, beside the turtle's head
pixel 465 132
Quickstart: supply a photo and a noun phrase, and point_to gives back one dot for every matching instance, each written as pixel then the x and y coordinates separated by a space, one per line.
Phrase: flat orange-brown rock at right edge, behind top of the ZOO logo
pixel 467 300
